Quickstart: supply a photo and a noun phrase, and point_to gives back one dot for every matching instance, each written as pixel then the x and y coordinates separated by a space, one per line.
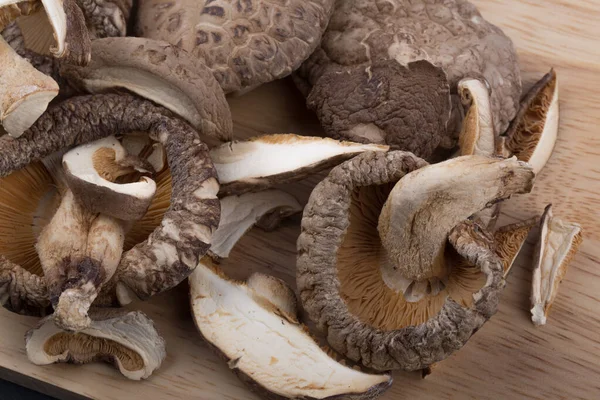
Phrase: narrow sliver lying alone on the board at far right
pixel 557 245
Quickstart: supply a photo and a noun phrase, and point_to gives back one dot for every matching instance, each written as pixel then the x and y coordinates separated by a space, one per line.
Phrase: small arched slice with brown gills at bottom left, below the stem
pixel 126 339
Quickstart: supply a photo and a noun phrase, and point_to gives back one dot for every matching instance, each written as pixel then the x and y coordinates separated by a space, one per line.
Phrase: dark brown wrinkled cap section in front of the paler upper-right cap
pixel 385 103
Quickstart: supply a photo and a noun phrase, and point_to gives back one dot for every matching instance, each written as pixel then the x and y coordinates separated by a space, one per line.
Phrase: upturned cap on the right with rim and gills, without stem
pixel 341 285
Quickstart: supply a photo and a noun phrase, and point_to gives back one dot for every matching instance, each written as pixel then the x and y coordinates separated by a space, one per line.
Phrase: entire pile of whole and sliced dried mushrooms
pixel 121 177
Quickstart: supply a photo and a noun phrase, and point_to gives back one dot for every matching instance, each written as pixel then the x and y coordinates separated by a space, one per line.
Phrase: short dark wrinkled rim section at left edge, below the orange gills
pixel 21 291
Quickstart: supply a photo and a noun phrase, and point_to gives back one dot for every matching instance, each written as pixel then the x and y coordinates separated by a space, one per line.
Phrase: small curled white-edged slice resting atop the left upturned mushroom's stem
pixel 91 171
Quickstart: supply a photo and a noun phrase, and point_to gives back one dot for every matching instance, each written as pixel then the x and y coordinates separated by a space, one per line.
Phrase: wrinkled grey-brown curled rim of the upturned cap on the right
pixel 324 224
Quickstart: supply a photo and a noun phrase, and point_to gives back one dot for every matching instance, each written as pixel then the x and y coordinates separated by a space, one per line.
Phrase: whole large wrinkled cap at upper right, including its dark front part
pixel 382 70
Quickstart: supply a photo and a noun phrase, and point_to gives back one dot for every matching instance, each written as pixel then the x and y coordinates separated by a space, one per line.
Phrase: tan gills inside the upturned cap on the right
pixel 362 286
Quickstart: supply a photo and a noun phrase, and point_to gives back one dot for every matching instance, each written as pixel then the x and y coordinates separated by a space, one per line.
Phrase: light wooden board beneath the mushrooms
pixel 508 358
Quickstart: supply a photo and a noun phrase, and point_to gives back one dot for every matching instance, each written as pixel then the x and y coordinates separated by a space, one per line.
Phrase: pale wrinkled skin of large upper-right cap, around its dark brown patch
pixel 451 34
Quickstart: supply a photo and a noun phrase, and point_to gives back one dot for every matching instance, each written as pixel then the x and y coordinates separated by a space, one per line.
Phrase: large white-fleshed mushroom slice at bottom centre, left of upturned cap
pixel 270 351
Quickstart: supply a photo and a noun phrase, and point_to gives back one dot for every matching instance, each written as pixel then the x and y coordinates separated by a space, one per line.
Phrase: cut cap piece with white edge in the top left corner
pixel 50 27
